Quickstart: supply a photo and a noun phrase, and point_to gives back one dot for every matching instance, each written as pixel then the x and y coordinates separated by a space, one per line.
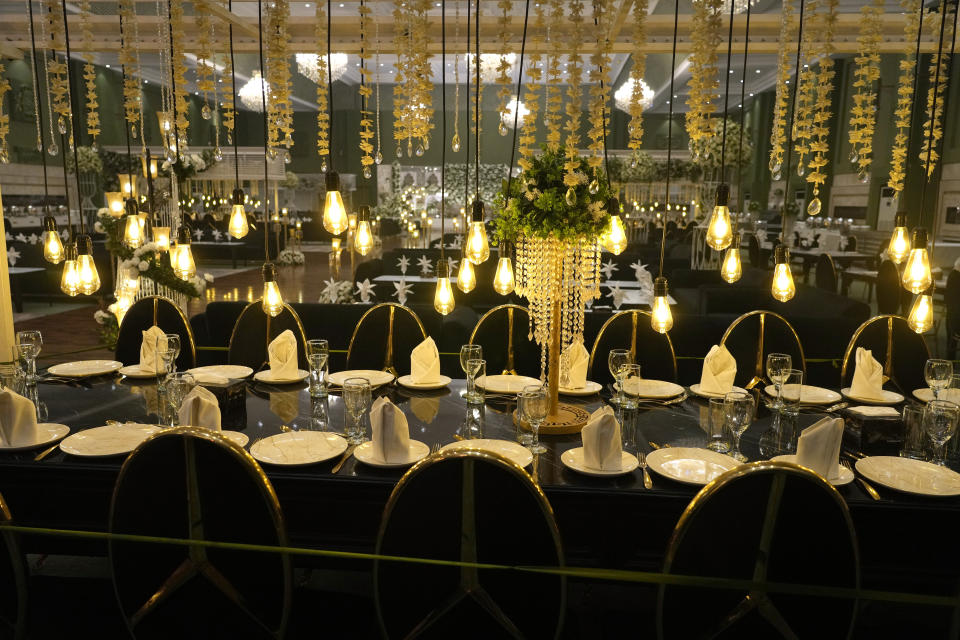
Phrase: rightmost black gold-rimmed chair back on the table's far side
pixel 902 352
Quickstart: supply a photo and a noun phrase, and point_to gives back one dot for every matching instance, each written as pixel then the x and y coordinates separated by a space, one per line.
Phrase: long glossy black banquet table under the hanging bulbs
pixel 613 522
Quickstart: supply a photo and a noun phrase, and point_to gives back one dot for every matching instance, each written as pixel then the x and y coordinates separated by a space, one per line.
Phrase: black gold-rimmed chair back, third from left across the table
pixel 384 338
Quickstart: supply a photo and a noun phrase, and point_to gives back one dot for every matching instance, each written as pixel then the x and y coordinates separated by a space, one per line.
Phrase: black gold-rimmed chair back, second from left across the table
pixel 254 331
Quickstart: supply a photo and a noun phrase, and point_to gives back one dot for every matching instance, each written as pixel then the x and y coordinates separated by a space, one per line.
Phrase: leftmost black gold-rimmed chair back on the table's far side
pixel 145 313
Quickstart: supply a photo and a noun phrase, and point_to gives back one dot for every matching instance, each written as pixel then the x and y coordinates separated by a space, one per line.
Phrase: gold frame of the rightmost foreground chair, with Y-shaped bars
pixel 758 599
